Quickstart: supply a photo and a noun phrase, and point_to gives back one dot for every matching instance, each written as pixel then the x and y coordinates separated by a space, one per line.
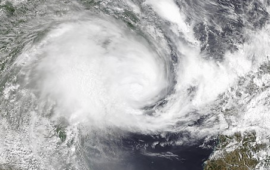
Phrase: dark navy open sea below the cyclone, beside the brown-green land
pixel 144 152
